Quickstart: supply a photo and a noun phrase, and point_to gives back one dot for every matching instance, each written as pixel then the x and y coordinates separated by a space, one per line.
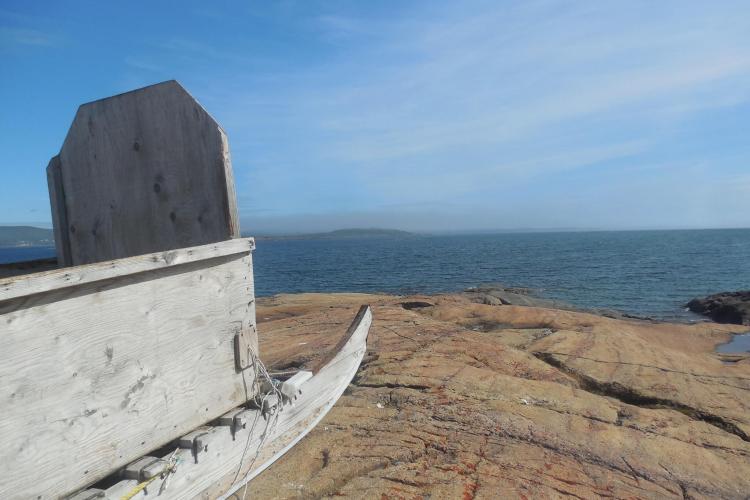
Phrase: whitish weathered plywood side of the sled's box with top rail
pixel 102 363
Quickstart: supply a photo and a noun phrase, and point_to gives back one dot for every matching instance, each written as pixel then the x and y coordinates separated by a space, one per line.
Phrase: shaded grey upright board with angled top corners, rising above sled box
pixel 141 172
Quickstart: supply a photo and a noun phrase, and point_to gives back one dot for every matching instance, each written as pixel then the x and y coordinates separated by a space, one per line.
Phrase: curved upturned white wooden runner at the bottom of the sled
pixel 234 458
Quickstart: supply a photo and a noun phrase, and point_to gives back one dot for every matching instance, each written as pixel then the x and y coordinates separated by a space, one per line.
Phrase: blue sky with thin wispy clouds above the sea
pixel 414 115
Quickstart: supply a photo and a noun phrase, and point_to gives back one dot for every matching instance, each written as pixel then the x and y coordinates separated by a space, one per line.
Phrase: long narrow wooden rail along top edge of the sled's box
pixel 13 287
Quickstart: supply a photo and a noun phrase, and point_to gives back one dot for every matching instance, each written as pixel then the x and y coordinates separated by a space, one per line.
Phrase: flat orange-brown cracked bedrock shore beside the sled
pixel 459 399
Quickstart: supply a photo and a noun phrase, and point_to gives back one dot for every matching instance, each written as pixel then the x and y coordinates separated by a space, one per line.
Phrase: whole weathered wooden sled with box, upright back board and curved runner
pixel 129 366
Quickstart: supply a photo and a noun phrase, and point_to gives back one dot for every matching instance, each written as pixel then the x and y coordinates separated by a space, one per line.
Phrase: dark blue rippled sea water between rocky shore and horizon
pixel 645 273
